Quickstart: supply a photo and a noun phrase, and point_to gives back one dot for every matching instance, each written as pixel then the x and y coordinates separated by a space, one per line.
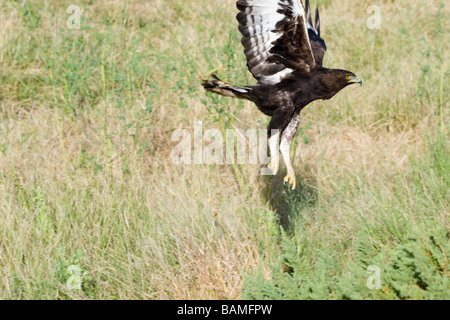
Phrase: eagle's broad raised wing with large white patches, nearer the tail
pixel 275 38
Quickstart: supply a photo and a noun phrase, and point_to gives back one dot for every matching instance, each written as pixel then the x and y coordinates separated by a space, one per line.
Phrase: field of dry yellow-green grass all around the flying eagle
pixel 92 207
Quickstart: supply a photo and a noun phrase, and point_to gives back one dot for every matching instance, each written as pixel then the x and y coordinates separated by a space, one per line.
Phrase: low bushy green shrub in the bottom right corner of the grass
pixel 417 269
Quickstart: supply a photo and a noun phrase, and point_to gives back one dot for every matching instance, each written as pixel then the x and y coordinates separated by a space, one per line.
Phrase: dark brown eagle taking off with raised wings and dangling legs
pixel 284 52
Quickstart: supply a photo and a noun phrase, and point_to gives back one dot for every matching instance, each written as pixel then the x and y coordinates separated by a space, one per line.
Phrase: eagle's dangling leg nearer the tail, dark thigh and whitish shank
pixel 279 120
